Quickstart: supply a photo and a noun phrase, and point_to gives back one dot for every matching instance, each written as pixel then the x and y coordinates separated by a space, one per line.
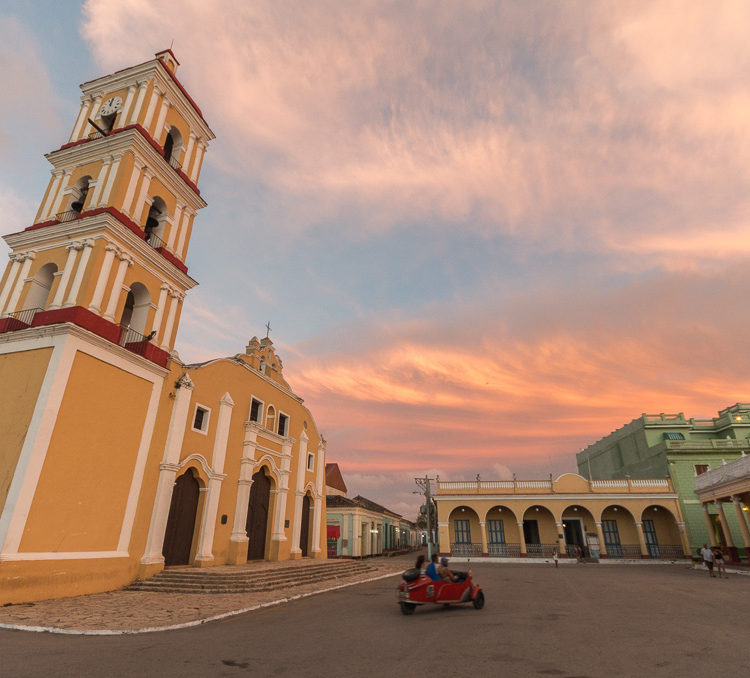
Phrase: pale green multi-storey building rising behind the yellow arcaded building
pixel 661 445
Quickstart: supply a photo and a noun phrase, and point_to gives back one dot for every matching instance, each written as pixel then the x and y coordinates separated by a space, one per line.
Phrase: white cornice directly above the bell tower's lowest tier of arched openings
pixel 108 226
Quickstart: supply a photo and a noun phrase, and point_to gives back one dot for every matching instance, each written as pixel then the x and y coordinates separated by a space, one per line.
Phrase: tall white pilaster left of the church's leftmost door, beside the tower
pixel 168 471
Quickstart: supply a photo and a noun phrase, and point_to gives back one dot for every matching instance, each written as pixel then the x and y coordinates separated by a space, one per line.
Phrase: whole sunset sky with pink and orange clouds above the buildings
pixel 485 234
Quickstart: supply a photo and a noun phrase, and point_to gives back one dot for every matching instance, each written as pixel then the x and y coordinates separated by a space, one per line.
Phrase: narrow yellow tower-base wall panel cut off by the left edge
pixel 21 376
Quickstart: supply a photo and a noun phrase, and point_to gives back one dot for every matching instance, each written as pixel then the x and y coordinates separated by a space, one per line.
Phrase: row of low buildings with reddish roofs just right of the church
pixel 360 527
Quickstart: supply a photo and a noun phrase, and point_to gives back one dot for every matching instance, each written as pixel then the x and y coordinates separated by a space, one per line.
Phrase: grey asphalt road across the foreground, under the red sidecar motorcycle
pixel 579 620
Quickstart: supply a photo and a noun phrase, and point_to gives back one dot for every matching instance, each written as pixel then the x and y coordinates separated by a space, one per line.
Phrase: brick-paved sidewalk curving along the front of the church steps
pixel 141 611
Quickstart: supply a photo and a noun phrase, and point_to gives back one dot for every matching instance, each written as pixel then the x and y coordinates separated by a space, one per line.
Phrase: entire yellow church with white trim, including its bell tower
pixel 116 458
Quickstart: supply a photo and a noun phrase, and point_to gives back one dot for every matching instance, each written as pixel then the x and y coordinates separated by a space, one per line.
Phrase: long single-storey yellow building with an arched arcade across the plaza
pixel 569 516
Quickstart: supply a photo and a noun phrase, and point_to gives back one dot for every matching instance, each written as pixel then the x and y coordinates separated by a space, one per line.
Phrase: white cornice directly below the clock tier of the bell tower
pixel 128 140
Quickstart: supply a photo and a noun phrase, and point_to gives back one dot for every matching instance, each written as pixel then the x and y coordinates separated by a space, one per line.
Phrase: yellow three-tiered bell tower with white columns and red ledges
pixel 89 308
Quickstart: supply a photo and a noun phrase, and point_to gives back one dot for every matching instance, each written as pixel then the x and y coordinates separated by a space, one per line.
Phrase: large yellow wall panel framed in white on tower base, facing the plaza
pixel 80 498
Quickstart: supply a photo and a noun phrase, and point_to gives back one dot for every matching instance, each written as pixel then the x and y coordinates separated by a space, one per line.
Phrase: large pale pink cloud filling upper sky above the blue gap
pixel 597 130
